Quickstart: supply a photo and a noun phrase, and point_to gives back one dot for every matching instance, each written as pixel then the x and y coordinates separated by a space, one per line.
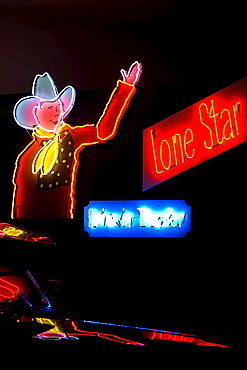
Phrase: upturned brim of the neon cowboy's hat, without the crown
pixel 34 100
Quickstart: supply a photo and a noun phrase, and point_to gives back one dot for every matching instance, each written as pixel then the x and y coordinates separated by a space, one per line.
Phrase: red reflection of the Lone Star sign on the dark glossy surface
pixel 181 338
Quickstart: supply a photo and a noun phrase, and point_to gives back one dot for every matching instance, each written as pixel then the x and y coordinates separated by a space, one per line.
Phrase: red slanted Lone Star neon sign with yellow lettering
pixel 197 133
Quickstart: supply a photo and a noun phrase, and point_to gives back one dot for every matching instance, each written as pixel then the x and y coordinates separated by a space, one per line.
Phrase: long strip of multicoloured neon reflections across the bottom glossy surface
pixel 34 326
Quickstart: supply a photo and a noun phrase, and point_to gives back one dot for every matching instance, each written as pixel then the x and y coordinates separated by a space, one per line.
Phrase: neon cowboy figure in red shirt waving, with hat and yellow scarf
pixel 45 171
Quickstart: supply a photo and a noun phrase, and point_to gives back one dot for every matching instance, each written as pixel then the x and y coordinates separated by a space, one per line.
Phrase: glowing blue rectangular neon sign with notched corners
pixel 138 218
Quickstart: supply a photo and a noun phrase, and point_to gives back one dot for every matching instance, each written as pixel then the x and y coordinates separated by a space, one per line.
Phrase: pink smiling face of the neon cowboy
pixel 48 114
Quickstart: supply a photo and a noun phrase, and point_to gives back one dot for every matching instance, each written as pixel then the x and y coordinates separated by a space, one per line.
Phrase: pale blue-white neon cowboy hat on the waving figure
pixel 43 89
